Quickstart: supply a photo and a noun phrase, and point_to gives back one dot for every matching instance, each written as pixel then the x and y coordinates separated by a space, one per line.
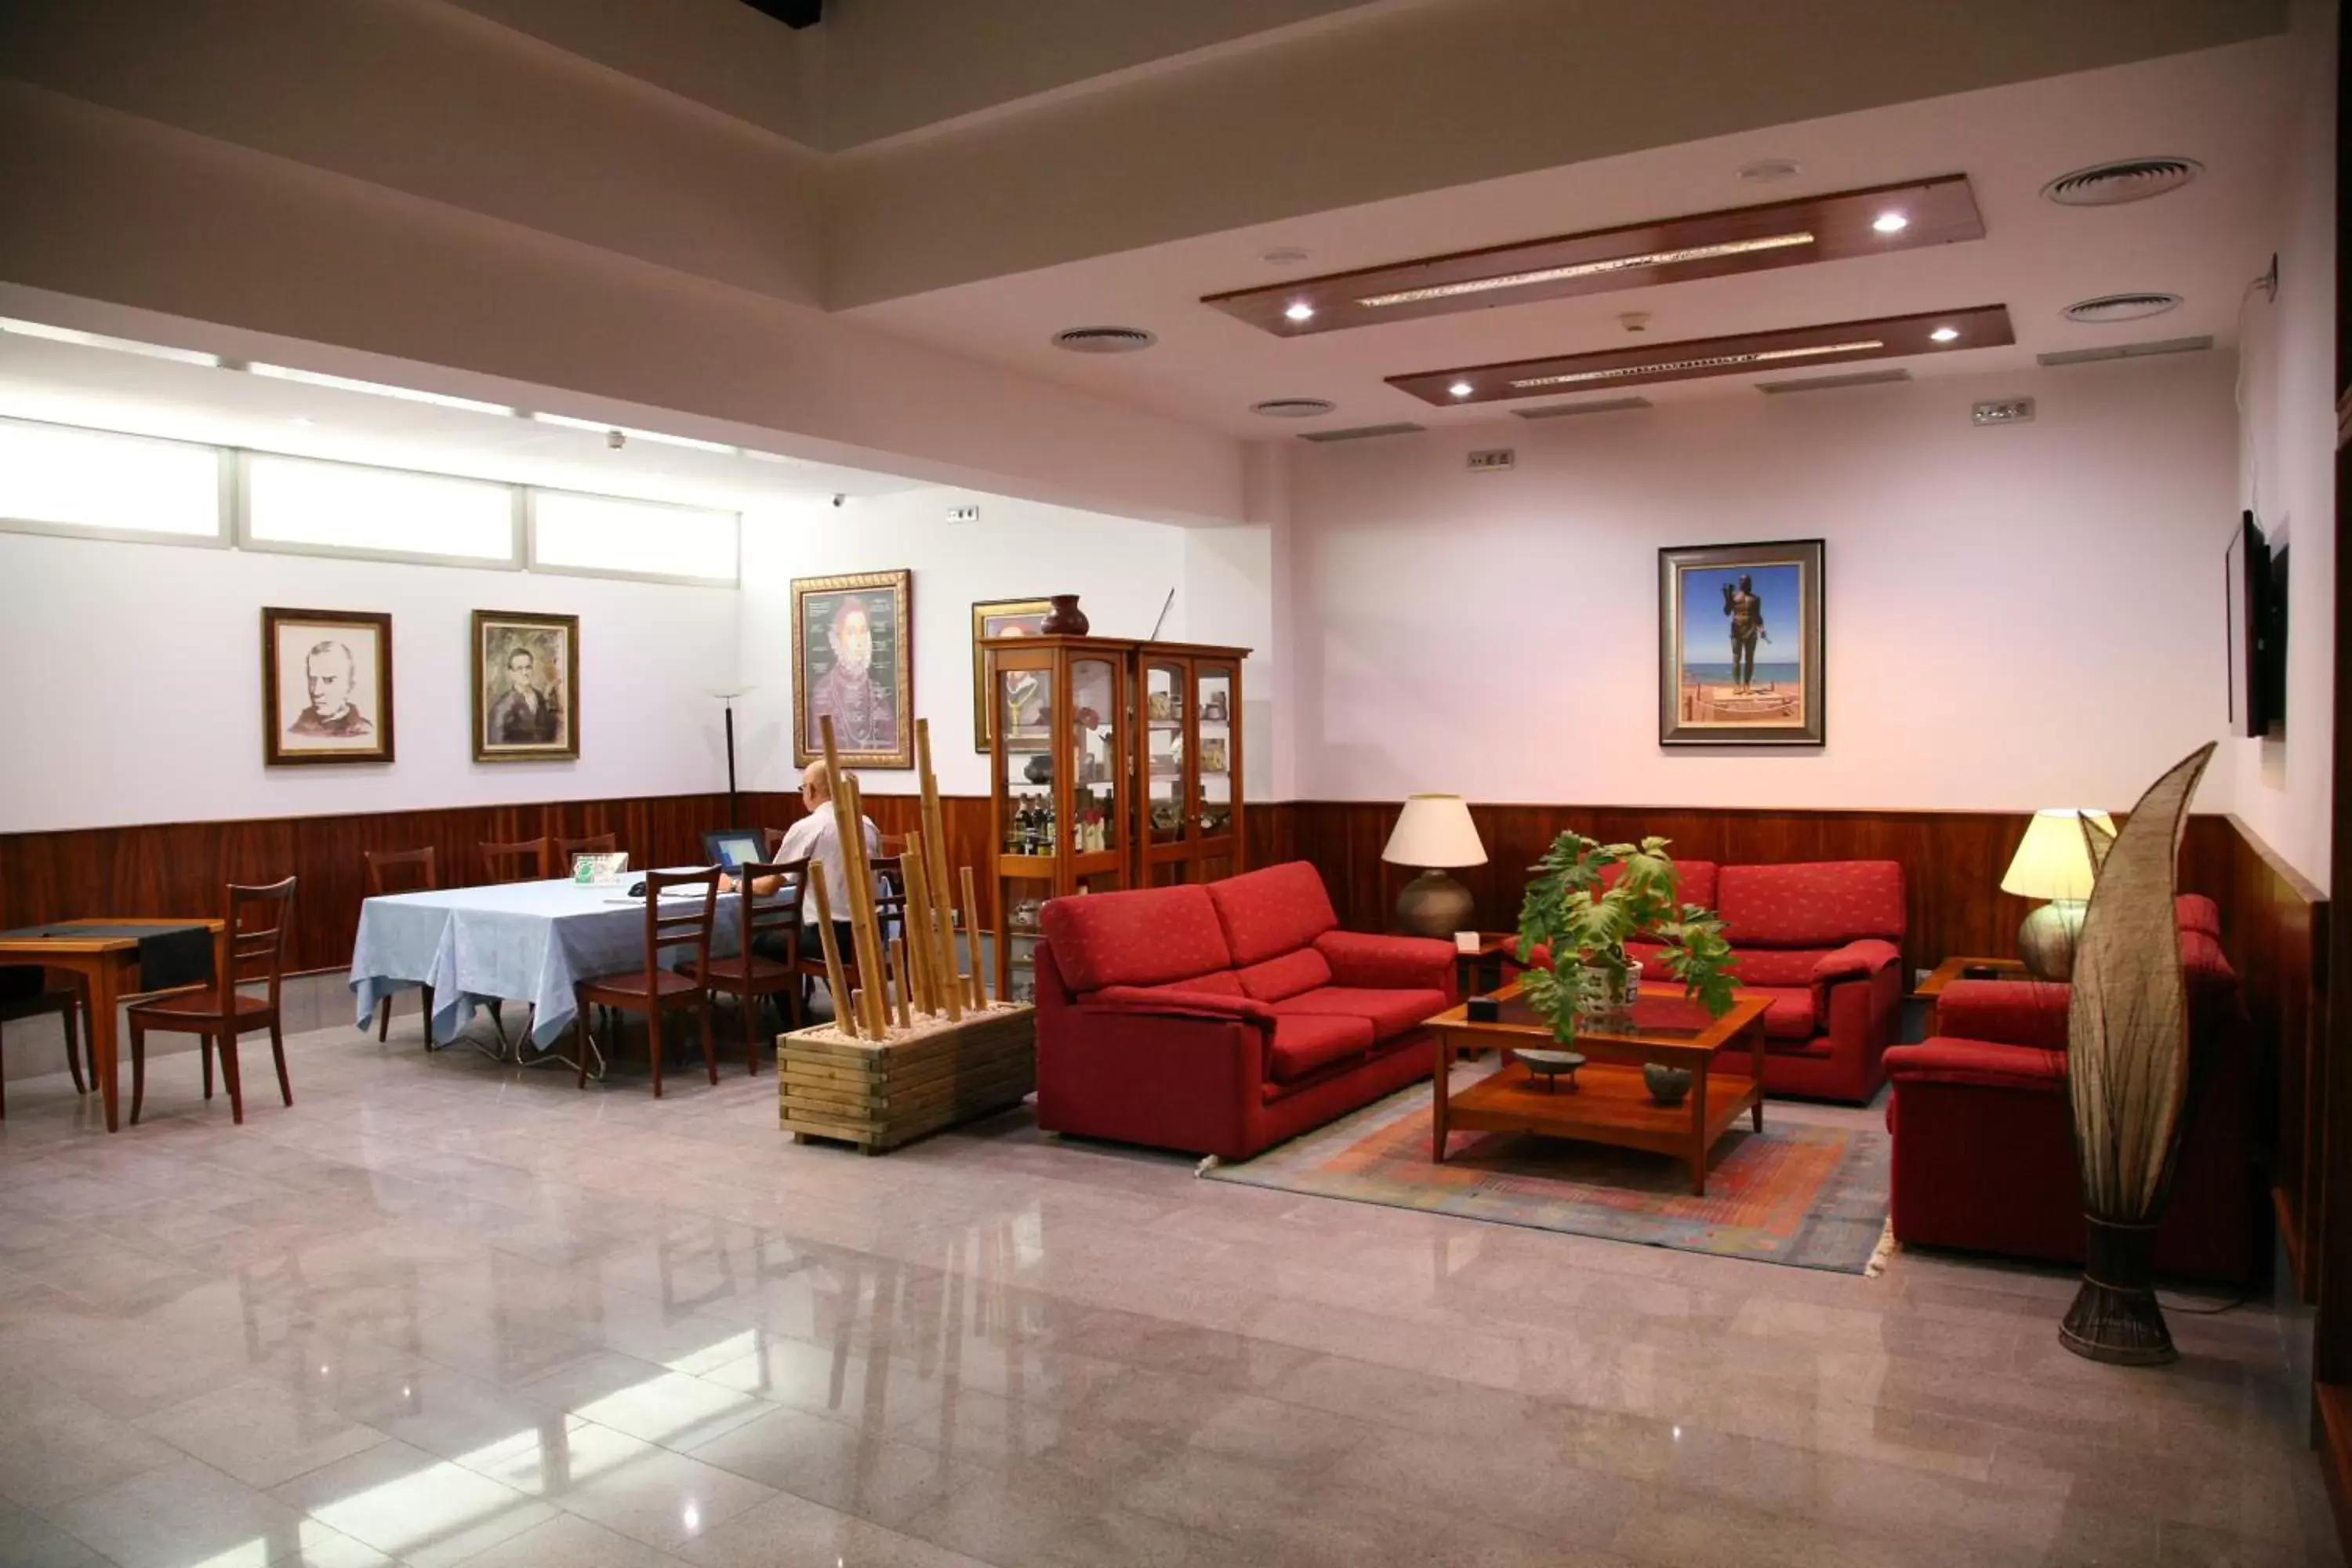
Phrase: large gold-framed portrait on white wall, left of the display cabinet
pixel 855 659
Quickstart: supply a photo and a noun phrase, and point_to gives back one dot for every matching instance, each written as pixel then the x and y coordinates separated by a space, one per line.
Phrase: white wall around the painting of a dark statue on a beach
pixel 2017 617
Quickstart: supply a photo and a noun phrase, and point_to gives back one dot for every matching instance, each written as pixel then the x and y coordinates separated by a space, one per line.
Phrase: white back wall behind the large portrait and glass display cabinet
pixel 1017 551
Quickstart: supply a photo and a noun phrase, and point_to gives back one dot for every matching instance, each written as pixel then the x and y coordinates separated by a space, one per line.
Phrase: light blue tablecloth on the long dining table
pixel 521 942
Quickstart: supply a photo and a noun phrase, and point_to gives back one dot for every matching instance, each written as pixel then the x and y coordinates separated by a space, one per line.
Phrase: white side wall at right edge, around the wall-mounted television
pixel 2283 789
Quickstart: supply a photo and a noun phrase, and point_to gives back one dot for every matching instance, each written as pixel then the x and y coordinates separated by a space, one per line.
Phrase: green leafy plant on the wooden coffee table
pixel 1586 925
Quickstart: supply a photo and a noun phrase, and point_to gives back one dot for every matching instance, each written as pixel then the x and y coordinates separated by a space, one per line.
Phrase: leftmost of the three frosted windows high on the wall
pixel 62 481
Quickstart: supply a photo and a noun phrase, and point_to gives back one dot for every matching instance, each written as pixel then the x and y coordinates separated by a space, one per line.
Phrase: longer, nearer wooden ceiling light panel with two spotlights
pixel 1633 257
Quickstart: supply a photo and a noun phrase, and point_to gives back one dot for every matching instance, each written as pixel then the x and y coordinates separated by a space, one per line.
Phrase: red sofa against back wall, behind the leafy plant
pixel 1824 942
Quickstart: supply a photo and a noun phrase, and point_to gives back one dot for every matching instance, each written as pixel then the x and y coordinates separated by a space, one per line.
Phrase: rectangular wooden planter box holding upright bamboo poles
pixel 883 1094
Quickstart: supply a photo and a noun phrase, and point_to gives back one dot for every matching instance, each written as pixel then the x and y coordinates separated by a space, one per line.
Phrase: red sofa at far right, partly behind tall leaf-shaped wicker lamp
pixel 1984 1127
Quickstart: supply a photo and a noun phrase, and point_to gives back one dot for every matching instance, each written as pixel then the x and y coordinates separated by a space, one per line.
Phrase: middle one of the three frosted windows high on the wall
pixel 375 511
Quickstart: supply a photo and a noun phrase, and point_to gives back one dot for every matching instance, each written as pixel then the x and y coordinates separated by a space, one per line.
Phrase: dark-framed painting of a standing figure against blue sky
pixel 1742 645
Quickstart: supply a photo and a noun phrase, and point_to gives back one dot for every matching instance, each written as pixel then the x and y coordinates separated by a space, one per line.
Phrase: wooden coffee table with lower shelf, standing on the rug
pixel 1610 1101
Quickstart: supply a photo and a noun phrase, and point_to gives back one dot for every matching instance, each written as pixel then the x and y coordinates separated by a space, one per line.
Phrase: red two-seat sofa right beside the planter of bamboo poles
pixel 1229 1017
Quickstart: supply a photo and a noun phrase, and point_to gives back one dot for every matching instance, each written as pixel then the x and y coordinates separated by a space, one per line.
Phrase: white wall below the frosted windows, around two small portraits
pixel 131 685
